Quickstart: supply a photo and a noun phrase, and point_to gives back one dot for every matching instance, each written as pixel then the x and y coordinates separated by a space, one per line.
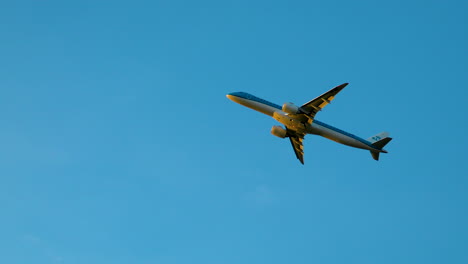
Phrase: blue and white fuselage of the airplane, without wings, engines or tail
pixel 315 127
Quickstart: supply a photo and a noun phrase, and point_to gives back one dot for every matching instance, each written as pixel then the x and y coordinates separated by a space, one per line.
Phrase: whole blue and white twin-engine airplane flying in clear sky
pixel 300 121
